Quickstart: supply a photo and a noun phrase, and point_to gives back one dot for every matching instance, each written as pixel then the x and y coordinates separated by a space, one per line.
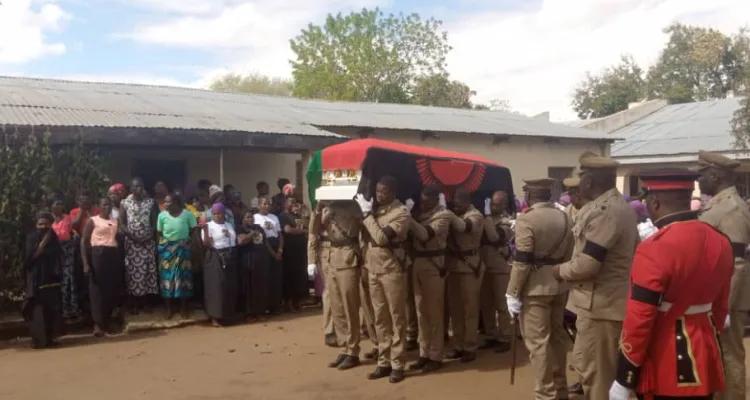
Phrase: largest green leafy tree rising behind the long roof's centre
pixel 367 56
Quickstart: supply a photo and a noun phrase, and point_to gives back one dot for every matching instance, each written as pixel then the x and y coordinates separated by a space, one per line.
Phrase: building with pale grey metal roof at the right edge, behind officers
pixel 654 134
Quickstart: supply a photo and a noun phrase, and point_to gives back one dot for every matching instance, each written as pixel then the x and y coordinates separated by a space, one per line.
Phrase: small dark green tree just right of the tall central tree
pixel 439 90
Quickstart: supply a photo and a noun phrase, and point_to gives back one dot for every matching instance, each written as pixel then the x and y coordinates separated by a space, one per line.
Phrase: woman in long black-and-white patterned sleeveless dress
pixel 137 223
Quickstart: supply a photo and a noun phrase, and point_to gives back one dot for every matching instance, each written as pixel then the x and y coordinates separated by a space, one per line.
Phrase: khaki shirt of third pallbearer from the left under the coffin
pixel 430 231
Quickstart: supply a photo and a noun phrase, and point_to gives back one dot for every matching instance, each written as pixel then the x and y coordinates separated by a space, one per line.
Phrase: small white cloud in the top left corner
pixel 24 27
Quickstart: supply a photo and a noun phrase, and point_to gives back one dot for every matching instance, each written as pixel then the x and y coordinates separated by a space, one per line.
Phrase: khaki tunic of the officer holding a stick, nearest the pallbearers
pixel 543 238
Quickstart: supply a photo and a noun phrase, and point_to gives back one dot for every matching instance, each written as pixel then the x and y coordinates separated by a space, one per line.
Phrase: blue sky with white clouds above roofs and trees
pixel 531 53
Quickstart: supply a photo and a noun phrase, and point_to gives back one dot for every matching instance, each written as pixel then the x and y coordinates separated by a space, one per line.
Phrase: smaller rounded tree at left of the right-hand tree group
pixel 611 91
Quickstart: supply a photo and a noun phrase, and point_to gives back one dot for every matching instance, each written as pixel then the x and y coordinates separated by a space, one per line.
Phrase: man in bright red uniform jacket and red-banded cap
pixel 669 348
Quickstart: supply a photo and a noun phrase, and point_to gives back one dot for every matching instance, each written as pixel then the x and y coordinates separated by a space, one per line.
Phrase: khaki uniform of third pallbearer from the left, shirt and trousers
pixel 430 231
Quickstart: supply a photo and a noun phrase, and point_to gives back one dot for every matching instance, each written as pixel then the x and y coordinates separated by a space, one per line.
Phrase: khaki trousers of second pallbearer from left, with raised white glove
pixel 388 292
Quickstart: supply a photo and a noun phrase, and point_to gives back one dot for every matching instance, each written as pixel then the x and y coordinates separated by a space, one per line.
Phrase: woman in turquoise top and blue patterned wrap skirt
pixel 175 226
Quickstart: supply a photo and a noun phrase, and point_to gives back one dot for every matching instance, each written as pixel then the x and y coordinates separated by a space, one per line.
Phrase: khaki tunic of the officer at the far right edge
pixel 729 214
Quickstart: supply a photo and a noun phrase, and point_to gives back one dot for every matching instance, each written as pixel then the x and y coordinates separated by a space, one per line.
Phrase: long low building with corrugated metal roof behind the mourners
pixel 182 135
